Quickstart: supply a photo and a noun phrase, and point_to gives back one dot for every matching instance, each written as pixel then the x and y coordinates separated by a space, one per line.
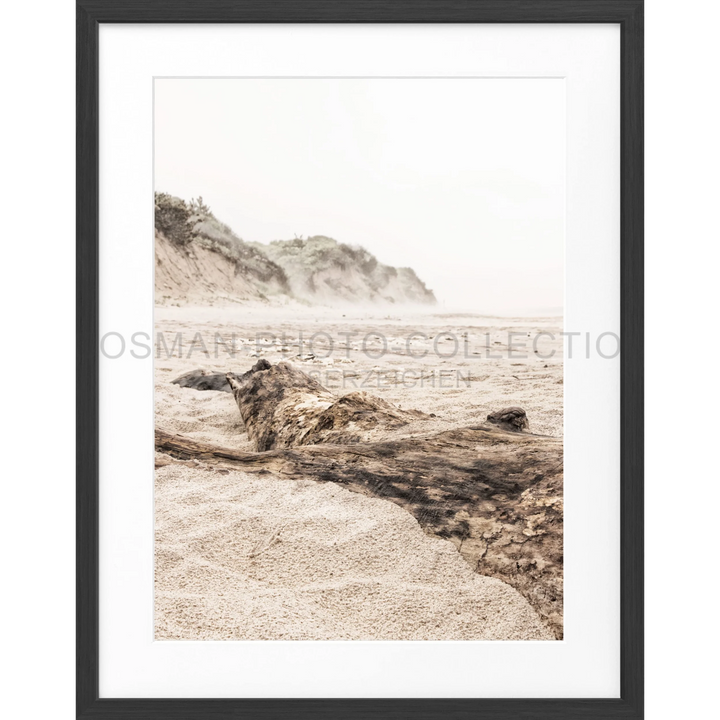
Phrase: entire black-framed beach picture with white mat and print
pixel 358 305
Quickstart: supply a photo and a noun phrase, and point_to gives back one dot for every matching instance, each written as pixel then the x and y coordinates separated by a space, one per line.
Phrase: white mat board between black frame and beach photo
pixel 586 663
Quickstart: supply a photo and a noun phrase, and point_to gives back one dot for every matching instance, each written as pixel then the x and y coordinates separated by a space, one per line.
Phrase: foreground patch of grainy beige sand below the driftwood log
pixel 275 559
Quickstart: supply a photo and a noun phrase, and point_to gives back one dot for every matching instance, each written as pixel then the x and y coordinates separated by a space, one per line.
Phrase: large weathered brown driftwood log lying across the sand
pixel 494 491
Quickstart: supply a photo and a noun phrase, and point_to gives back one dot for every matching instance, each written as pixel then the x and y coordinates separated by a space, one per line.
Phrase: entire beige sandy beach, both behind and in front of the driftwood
pixel 262 557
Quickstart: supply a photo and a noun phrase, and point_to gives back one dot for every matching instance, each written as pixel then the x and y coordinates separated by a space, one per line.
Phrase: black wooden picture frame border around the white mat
pixel 87 15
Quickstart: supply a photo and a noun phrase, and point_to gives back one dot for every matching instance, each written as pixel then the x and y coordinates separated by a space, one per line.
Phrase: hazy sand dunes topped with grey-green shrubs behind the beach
pixel 200 260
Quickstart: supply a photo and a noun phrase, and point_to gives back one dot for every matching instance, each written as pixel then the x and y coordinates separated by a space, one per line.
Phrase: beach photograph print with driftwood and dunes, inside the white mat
pixel 359 302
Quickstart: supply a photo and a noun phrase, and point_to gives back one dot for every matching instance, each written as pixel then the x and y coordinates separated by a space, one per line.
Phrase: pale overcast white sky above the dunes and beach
pixel 461 179
